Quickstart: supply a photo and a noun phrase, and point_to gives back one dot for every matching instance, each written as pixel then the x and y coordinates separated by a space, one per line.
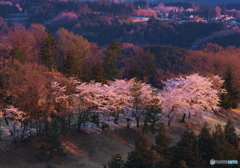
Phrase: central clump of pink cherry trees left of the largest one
pixel 120 98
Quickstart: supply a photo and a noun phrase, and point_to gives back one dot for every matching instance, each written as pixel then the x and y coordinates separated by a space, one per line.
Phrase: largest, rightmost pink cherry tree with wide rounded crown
pixel 192 94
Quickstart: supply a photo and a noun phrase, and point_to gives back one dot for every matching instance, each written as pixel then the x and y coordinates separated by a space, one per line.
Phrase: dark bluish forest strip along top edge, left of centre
pixel 50 9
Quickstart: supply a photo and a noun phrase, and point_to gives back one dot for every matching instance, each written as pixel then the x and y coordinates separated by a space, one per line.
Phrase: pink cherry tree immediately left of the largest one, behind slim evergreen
pixel 131 97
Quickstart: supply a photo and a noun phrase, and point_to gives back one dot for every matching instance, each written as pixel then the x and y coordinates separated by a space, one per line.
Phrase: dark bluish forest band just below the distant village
pixel 154 32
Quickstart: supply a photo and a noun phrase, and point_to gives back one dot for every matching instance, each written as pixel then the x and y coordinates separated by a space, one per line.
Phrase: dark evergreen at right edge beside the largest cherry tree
pixel 231 99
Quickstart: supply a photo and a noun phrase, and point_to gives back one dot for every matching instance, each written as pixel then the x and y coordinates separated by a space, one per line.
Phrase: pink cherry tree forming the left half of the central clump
pixel 98 100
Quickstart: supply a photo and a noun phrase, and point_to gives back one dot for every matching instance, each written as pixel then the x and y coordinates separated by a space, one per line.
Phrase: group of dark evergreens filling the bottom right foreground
pixel 190 151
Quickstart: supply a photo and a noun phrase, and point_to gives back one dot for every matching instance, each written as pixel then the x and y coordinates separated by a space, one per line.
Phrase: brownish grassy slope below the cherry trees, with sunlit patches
pixel 92 150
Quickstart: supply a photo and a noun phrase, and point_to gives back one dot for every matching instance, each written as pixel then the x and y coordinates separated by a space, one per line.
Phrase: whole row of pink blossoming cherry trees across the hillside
pixel 120 100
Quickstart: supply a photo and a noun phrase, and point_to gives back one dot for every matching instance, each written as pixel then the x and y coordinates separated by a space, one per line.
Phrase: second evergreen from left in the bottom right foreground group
pixel 142 156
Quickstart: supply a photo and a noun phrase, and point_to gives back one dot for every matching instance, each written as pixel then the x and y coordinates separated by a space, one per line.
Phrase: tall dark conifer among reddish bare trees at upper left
pixel 48 51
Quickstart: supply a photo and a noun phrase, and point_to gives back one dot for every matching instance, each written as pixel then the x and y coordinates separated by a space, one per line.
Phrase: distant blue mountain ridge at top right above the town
pixel 210 2
